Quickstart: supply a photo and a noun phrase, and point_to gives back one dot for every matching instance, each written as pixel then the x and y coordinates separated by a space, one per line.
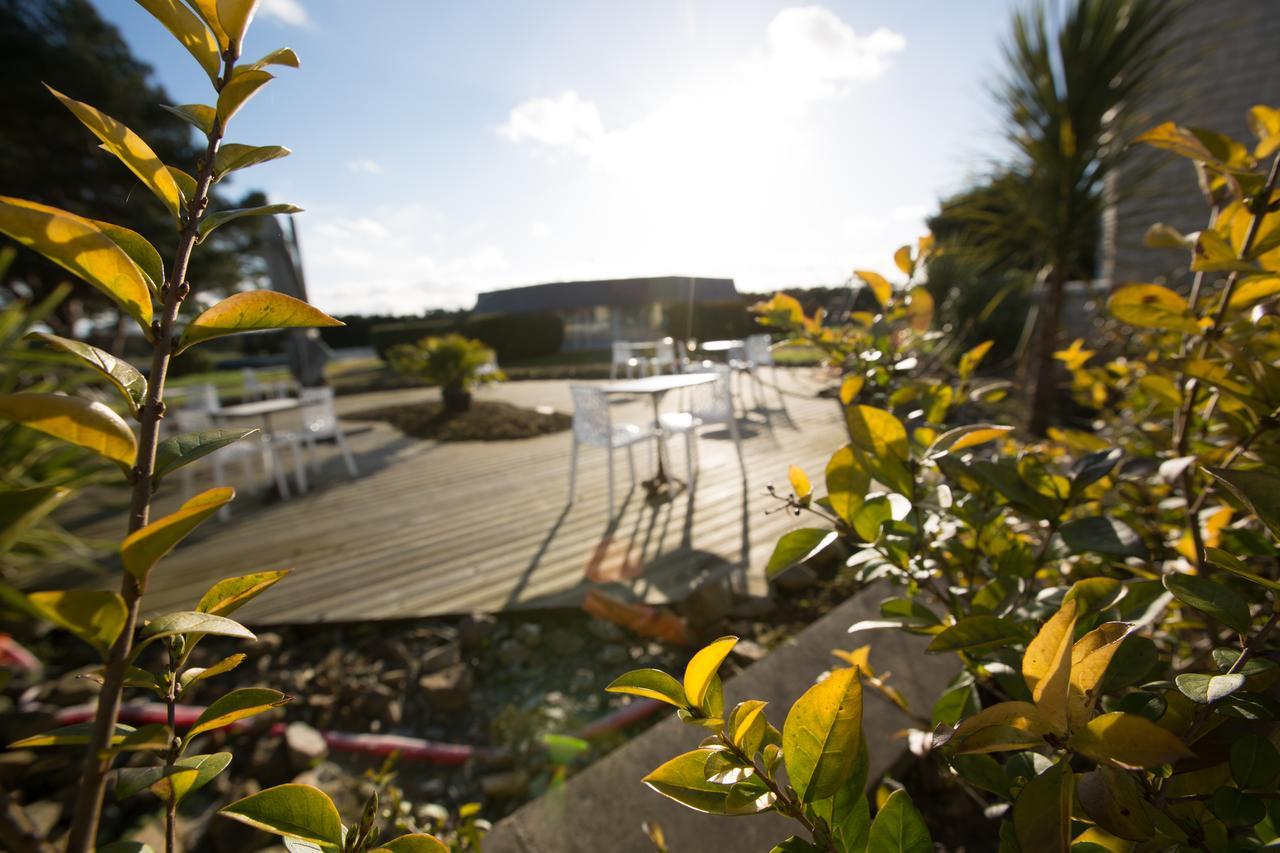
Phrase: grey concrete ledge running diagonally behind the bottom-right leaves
pixel 602 808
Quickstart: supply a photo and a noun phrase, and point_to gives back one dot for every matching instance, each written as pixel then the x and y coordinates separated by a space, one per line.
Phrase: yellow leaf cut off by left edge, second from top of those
pixel 85 423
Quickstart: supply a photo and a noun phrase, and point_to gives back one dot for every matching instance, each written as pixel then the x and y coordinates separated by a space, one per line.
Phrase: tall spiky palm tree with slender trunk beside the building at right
pixel 1073 77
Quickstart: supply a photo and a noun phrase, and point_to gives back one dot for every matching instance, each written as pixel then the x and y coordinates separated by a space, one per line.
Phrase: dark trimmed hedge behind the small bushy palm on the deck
pixel 513 337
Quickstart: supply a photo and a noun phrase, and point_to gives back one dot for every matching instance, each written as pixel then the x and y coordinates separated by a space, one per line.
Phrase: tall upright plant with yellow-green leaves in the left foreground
pixel 129 271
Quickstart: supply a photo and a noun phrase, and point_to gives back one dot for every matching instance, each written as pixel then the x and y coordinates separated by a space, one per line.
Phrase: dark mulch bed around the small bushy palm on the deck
pixel 484 422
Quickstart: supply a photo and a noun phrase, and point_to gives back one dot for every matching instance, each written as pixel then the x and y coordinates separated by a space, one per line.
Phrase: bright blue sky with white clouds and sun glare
pixel 446 149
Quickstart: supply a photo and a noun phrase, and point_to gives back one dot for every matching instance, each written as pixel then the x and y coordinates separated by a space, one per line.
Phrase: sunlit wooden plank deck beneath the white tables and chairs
pixel 444 528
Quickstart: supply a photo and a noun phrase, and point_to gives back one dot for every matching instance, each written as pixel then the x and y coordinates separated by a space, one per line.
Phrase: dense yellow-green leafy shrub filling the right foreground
pixel 1110 596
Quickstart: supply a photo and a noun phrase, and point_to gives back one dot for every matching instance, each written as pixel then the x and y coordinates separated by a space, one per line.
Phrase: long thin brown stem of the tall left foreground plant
pixel 98 759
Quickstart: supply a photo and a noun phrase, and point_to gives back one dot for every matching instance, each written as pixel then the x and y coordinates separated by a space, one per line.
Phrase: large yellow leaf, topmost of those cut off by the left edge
pixel 83 249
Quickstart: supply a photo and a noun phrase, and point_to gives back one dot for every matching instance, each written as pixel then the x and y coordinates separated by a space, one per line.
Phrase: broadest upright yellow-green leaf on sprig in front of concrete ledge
pixel 822 736
